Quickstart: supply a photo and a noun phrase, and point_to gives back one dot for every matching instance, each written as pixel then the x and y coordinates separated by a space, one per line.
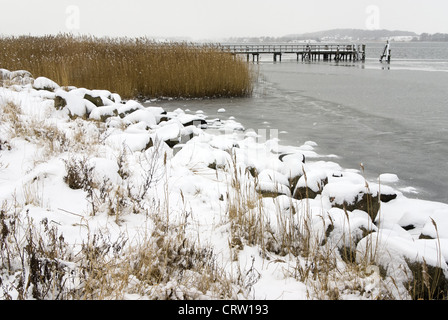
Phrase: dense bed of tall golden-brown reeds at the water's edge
pixel 132 67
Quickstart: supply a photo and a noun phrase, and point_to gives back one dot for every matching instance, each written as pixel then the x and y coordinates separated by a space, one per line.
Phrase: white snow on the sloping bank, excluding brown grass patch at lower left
pixel 214 171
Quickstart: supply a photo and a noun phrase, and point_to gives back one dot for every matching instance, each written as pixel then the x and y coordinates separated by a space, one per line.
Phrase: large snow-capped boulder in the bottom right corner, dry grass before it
pixel 414 267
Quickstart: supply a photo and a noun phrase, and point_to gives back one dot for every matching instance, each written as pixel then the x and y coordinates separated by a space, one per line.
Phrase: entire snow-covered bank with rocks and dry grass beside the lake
pixel 270 221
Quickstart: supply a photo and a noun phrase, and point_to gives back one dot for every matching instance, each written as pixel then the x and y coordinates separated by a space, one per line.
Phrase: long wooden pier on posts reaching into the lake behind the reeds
pixel 305 52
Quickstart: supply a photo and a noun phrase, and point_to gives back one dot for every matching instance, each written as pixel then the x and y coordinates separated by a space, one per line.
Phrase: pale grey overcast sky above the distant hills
pixel 211 19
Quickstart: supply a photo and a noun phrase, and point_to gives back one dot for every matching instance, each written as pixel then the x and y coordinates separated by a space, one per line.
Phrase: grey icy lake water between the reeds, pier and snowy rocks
pixel 392 118
